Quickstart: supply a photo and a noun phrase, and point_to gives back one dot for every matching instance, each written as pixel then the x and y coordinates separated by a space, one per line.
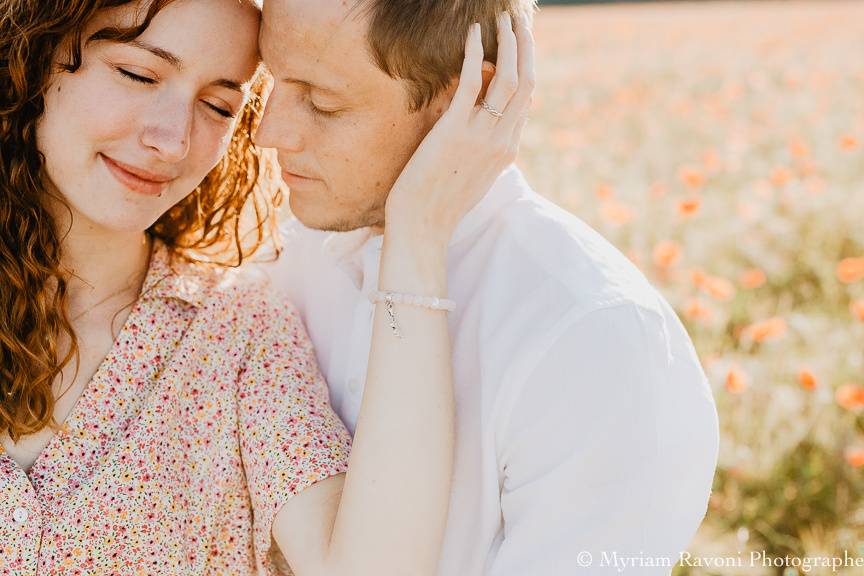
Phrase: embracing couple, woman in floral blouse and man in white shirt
pixel 517 391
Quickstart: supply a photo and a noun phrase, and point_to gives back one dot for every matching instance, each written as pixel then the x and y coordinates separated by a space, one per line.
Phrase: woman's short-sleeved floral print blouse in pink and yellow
pixel 206 416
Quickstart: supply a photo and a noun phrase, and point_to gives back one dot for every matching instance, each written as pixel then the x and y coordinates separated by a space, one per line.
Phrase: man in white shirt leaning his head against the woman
pixel 587 433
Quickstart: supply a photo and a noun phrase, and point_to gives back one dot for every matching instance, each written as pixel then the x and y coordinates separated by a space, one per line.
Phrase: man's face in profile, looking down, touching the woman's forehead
pixel 342 127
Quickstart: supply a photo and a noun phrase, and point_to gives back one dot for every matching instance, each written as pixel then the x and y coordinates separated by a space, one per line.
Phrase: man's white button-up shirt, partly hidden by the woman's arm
pixel 587 432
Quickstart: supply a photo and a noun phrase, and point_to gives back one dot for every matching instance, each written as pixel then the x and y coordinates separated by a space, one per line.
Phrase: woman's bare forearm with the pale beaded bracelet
pixel 394 503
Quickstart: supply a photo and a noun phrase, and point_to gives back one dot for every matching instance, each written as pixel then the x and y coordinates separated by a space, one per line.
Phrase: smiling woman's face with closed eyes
pixel 138 126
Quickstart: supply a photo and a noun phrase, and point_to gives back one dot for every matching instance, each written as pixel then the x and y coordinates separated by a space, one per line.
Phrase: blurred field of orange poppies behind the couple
pixel 721 146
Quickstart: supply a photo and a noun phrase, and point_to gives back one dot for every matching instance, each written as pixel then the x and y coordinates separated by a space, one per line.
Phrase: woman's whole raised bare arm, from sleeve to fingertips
pixel 388 515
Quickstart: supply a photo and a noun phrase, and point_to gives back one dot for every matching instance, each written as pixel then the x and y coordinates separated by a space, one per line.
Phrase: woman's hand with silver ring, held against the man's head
pixel 466 150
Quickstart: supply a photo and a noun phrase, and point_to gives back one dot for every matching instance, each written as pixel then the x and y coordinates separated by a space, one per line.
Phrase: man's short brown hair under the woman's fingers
pixel 423 41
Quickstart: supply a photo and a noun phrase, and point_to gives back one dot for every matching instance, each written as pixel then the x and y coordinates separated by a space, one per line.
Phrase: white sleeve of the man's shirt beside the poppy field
pixel 609 451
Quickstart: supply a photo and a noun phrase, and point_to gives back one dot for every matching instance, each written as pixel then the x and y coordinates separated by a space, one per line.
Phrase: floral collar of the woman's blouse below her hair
pixel 169 276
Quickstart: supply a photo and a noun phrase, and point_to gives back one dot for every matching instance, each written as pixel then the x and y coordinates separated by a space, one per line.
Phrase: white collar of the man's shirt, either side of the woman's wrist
pixel 357 253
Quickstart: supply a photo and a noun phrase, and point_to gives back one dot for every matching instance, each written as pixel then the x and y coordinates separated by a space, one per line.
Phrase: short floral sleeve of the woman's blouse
pixel 290 438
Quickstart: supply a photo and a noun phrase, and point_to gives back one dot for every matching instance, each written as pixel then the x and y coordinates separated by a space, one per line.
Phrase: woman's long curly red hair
pixel 33 282
